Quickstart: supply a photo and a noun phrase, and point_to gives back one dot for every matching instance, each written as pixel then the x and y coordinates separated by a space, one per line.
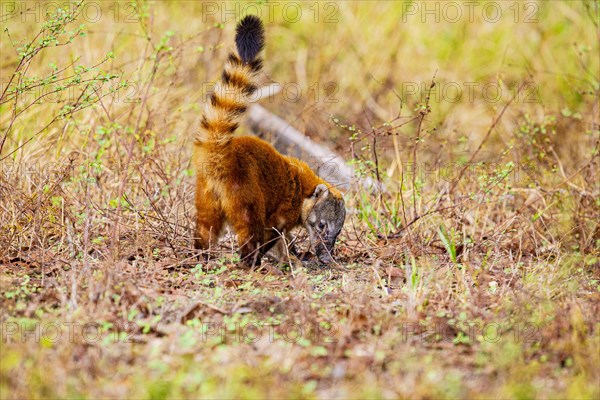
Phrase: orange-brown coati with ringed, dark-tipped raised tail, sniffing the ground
pixel 244 181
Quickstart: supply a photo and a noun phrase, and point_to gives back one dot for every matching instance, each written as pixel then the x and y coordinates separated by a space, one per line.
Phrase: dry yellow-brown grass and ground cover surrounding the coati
pixel 476 274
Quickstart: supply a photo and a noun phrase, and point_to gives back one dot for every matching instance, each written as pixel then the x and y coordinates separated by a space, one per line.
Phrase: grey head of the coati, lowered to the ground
pixel 323 215
